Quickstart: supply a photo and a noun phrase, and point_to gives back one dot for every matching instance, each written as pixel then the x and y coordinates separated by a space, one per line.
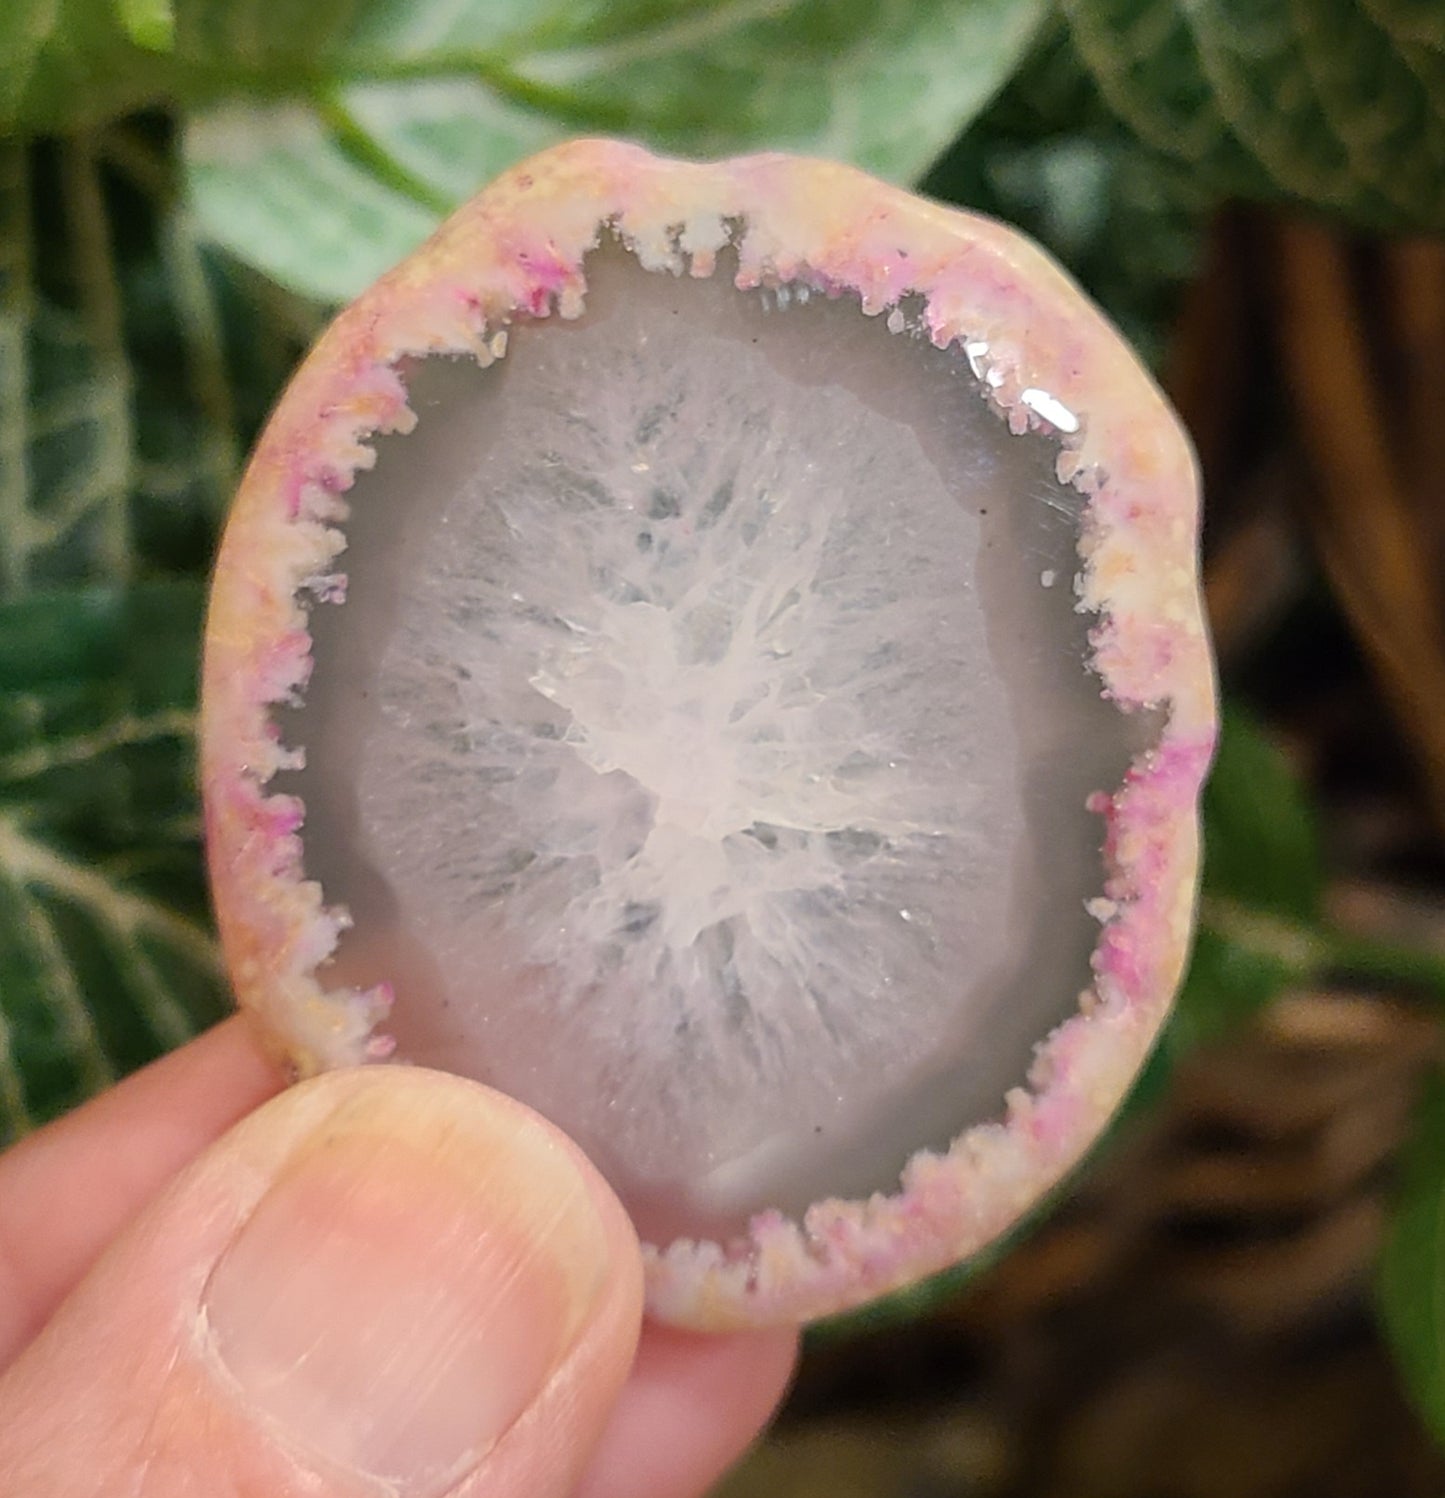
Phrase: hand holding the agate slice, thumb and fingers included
pixel 387 1282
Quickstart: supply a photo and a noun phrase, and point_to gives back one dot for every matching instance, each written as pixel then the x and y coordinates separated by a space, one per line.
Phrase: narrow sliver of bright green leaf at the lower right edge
pixel 1411 1286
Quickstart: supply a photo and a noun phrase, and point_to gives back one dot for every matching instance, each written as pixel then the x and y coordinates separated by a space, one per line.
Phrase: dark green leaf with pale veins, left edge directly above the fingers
pixel 106 947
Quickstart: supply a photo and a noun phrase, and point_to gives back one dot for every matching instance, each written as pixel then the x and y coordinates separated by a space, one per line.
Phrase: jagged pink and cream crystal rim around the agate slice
pixel 1050 362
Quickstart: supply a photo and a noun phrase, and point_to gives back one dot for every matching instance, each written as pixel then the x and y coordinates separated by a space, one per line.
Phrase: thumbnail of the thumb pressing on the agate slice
pixel 407 1288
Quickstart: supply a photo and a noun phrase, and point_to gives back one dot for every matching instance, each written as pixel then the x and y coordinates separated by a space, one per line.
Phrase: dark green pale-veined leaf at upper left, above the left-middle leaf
pixel 134 366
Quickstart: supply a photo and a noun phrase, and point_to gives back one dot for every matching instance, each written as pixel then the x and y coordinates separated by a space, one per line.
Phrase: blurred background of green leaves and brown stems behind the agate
pixel 1256 191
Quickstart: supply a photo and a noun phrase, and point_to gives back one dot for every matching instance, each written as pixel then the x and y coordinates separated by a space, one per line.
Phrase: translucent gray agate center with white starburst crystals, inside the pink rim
pixel 705 742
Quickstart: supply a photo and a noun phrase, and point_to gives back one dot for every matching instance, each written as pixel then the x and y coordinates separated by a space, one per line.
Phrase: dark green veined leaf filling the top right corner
pixel 1336 104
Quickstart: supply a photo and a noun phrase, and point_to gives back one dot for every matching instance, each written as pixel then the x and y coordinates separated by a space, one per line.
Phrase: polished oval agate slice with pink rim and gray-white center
pixel 755 720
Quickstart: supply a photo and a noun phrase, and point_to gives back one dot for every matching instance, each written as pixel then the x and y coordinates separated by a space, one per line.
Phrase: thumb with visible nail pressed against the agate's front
pixel 384 1283
